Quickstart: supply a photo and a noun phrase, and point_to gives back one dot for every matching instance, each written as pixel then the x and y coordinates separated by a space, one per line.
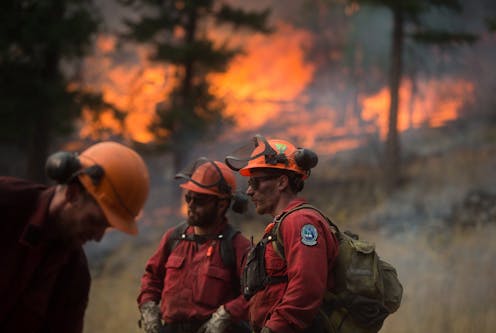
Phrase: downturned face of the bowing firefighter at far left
pixel 82 220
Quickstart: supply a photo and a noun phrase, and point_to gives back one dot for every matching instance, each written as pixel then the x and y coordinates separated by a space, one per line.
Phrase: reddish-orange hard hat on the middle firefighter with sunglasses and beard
pixel 209 177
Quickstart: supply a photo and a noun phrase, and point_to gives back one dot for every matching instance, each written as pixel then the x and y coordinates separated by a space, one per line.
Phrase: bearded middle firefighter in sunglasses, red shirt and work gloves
pixel 188 282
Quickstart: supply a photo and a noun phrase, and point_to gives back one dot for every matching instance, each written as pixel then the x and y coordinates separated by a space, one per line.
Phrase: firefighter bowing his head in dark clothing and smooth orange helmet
pixel 45 280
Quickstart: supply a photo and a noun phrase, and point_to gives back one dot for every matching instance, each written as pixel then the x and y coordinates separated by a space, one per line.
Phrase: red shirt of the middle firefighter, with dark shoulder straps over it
pixel 192 282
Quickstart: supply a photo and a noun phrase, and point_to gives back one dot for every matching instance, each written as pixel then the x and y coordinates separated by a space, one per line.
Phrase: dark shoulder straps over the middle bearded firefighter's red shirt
pixel 226 249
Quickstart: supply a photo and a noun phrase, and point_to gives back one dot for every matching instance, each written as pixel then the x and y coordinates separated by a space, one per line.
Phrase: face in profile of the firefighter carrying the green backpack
pixel 263 191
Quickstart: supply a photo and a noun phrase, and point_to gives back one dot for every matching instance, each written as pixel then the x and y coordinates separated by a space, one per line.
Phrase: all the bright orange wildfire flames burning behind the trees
pixel 264 87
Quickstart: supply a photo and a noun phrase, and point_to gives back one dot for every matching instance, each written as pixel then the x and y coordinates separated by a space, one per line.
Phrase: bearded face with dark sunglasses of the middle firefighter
pixel 203 209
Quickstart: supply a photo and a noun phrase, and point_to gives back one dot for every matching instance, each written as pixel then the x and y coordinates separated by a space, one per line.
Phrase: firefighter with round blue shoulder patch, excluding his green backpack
pixel 284 290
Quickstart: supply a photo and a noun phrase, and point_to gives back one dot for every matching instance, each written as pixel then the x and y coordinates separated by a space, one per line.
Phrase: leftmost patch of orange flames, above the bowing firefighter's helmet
pixel 134 85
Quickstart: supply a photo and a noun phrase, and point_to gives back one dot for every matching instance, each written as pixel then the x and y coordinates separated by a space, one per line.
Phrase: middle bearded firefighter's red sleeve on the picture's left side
pixel 152 280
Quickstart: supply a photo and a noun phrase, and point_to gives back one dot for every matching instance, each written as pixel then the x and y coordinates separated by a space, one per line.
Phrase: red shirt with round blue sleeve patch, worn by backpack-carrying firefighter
pixel 291 306
